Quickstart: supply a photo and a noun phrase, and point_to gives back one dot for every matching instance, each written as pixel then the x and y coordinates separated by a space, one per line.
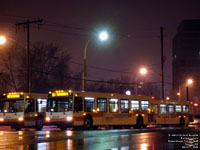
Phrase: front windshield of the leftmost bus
pixel 12 106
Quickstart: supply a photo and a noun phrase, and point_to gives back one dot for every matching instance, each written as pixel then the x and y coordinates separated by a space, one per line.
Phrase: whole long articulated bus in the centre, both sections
pixel 87 109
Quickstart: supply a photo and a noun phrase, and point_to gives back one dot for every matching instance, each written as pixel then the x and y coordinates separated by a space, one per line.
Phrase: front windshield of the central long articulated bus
pixel 59 104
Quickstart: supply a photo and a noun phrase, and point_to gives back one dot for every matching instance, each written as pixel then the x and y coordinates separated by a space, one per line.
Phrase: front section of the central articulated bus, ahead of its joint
pixel 87 109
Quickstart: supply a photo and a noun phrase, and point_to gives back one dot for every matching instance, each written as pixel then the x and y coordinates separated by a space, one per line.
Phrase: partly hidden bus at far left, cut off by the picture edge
pixel 20 110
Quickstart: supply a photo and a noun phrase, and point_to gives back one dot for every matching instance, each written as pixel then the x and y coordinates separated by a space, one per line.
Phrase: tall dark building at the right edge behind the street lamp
pixel 186 60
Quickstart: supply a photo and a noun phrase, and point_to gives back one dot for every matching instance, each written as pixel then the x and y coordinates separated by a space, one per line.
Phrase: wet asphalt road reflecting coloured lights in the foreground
pixel 152 138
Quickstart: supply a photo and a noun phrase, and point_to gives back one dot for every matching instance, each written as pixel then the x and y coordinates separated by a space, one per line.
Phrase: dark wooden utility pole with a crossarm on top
pixel 27 25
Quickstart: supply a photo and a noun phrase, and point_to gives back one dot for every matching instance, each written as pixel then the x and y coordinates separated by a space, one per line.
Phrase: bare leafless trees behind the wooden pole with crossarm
pixel 49 68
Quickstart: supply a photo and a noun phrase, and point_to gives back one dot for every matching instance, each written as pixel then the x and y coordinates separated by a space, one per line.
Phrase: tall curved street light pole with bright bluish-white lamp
pixel 103 36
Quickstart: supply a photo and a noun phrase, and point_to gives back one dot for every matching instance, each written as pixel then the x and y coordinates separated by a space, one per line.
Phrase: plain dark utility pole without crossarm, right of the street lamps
pixel 162 63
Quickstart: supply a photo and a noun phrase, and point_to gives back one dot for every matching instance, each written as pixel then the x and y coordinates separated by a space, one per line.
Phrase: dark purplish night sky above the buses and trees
pixel 134 25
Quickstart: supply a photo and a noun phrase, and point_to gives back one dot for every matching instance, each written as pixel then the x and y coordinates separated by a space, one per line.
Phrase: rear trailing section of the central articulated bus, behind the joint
pixel 173 112
